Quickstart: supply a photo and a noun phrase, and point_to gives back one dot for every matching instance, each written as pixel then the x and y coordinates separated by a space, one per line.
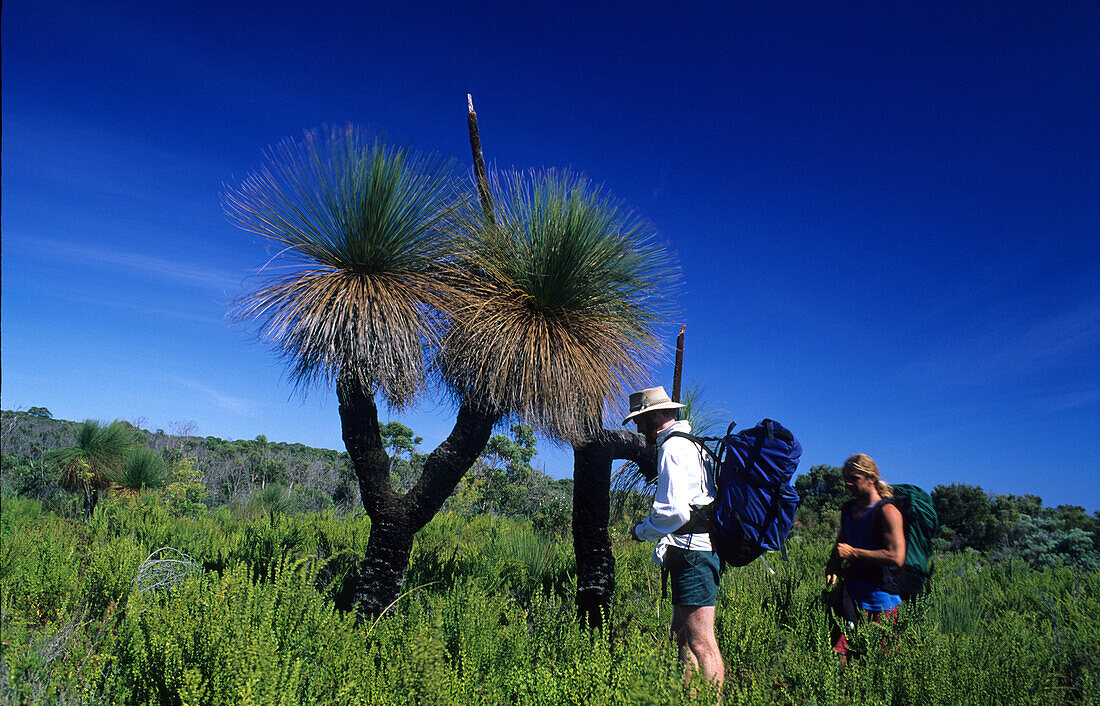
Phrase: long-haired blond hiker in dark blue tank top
pixel 873 549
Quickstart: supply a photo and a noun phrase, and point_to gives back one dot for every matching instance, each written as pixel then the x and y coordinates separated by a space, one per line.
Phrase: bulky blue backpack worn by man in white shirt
pixel 755 505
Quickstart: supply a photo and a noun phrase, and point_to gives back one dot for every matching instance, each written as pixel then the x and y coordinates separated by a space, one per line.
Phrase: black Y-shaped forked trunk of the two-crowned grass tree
pixel 397 519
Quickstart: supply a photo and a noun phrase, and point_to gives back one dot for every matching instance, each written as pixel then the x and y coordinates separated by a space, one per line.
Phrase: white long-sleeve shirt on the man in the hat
pixel 685 480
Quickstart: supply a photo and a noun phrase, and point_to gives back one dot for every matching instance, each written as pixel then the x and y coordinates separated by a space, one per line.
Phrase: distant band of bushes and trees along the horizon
pixel 212 472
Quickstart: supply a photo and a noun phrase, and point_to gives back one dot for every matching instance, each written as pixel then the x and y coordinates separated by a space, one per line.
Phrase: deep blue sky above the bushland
pixel 886 216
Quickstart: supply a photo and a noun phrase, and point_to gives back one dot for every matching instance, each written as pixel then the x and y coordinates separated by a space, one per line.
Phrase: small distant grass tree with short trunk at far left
pixel 95 462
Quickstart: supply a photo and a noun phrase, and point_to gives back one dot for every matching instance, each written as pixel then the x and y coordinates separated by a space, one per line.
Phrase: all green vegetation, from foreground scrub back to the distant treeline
pixel 215 572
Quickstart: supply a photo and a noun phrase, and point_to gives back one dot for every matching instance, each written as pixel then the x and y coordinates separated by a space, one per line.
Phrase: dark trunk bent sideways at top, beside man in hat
pixel 592 481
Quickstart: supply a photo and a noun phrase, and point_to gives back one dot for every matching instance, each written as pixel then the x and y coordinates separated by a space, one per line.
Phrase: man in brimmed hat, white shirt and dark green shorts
pixel 685 487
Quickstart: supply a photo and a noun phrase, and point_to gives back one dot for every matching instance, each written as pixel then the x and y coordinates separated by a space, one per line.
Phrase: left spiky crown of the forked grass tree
pixel 362 233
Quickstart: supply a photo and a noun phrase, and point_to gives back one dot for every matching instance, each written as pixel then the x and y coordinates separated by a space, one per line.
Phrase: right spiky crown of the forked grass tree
pixel 560 297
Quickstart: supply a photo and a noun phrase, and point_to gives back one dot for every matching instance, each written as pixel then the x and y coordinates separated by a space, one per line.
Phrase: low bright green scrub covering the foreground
pixel 489 619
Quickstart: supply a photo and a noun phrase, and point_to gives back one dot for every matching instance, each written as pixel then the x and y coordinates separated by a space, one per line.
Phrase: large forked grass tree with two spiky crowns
pixel 384 281
